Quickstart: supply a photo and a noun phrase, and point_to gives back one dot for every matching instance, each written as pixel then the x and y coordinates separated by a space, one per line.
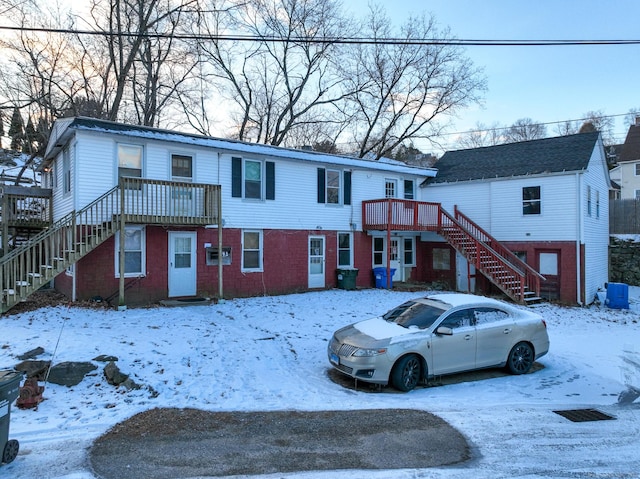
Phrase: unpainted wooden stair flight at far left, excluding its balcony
pixel 29 267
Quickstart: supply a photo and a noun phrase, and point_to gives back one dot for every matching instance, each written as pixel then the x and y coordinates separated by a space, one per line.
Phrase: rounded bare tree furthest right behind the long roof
pixel 396 92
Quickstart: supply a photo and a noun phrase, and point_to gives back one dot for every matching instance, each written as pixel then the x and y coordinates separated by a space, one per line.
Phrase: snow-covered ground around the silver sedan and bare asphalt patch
pixel 269 353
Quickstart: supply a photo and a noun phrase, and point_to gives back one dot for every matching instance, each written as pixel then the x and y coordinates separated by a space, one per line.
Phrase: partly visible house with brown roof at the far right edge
pixel 627 172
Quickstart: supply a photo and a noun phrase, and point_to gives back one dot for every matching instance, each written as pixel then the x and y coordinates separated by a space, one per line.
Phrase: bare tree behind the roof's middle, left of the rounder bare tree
pixel 284 79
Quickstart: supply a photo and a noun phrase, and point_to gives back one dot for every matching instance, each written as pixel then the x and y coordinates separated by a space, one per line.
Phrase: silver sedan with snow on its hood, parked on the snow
pixel 436 335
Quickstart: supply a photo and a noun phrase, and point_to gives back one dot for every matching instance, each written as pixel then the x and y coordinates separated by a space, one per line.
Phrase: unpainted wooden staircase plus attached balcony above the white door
pixel 134 200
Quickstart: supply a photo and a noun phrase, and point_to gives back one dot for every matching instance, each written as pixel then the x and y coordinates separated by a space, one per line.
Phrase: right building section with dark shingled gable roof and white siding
pixel 546 200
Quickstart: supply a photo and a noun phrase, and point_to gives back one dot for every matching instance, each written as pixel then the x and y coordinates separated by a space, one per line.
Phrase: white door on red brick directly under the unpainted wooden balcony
pixel 182 263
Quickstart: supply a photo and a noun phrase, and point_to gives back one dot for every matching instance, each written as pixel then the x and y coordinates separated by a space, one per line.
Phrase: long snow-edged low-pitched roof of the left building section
pixel 64 128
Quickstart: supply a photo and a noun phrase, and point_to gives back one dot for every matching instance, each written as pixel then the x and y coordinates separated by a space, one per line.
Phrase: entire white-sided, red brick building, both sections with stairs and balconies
pixel 142 214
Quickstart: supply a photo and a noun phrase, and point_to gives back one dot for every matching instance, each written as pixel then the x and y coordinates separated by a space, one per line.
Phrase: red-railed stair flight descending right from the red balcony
pixel 501 266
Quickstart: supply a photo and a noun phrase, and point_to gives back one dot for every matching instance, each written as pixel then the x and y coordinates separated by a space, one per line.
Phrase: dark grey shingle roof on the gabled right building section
pixel 549 155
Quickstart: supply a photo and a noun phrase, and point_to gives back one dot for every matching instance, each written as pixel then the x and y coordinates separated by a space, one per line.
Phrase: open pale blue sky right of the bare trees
pixel 550 83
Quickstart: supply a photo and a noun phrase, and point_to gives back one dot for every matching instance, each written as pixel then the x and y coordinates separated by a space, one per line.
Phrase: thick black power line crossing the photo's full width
pixel 332 40
